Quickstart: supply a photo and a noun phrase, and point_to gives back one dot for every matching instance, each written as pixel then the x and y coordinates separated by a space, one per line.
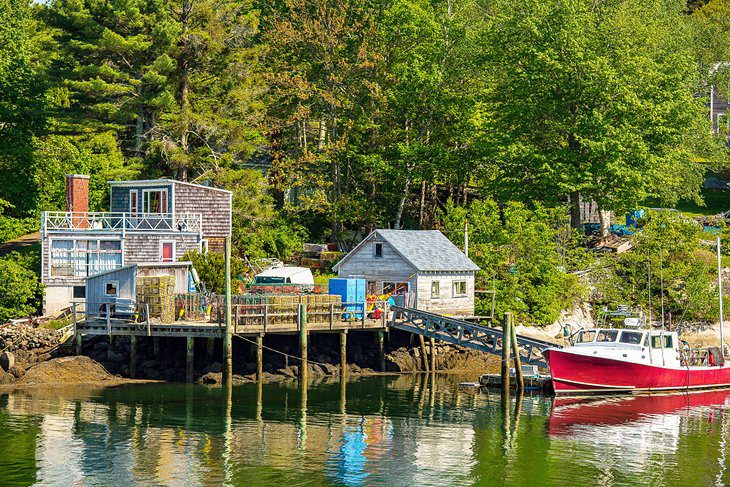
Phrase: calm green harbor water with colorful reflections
pixel 386 430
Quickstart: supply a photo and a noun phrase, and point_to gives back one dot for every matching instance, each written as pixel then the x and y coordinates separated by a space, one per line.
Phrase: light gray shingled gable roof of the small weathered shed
pixel 425 250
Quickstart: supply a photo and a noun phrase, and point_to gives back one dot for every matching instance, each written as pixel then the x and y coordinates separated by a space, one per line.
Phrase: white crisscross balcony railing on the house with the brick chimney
pixel 118 222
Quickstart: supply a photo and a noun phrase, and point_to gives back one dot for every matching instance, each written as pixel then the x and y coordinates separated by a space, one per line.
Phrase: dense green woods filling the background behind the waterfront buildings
pixel 361 114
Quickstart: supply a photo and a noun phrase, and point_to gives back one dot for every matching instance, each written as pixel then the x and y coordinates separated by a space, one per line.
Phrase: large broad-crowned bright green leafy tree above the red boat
pixel 595 100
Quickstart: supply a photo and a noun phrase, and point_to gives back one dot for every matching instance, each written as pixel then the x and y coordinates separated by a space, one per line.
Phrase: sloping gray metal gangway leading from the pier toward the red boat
pixel 466 334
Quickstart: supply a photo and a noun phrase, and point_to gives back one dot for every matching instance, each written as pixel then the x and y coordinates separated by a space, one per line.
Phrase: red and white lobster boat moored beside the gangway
pixel 630 361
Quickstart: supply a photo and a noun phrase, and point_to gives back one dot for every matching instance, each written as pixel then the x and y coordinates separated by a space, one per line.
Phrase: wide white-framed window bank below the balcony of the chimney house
pixel 84 257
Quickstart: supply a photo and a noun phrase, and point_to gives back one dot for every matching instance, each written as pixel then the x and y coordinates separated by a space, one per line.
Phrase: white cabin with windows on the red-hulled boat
pixel 653 347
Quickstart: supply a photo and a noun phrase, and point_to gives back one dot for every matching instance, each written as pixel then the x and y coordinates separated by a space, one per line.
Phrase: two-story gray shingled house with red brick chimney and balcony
pixel 152 223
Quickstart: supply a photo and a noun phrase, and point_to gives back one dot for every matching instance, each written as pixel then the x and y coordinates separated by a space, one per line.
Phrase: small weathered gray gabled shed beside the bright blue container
pixel 423 263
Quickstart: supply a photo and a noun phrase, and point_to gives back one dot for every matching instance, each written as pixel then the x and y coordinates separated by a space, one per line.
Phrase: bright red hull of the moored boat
pixel 575 374
